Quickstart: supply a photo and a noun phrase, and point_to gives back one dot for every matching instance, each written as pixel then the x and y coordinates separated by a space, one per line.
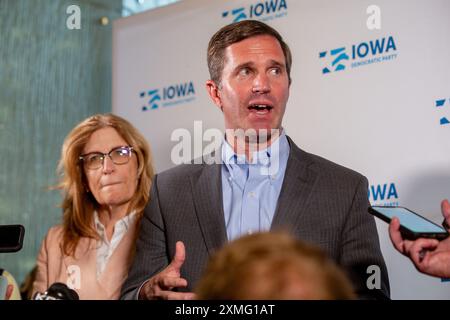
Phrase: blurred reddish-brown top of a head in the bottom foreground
pixel 272 266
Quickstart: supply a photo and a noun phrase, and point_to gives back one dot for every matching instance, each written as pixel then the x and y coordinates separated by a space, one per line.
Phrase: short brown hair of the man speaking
pixel 237 32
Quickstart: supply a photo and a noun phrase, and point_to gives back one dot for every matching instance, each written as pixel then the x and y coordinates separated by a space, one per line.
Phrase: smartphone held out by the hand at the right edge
pixel 412 225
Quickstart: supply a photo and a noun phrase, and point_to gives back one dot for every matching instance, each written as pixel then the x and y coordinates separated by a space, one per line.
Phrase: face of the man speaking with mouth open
pixel 254 88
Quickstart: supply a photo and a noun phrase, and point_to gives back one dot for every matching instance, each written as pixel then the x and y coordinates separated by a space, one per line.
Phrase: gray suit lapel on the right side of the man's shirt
pixel 298 184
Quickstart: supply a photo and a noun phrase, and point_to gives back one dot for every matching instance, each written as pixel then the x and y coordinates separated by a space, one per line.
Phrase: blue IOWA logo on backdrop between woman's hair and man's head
pixel 168 96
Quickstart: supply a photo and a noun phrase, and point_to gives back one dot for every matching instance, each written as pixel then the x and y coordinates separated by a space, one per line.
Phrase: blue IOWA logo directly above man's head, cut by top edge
pixel 262 10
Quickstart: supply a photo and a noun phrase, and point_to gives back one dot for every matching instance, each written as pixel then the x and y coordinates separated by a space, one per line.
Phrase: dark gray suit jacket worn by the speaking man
pixel 320 202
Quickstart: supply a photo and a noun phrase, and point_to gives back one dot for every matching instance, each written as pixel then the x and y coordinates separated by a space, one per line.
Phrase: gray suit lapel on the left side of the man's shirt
pixel 207 195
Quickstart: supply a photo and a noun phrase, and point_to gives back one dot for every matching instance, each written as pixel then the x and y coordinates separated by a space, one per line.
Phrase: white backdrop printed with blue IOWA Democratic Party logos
pixel 371 91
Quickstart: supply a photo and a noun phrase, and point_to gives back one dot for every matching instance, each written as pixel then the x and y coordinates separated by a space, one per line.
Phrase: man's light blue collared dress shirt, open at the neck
pixel 251 190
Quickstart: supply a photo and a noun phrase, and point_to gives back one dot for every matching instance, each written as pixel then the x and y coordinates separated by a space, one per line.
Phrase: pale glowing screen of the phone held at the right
pixel 410 220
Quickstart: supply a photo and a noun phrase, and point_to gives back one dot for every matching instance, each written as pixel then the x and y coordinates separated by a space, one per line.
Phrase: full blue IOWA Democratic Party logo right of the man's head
pixel 364 53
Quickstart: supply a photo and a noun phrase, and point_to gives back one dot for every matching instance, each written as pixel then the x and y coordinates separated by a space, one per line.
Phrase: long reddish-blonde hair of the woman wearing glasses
pixel 78 205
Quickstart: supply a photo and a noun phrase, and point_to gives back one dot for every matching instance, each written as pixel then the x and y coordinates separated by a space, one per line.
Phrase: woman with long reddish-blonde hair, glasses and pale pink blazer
pixel 106 174
